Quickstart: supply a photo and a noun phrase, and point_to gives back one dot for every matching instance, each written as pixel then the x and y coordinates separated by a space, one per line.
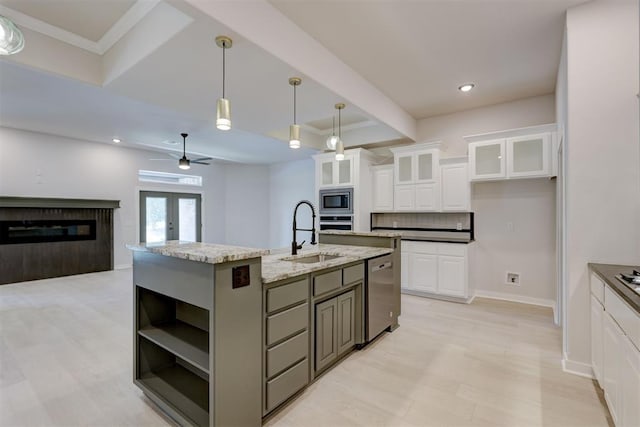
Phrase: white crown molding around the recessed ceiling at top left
pixel 126 22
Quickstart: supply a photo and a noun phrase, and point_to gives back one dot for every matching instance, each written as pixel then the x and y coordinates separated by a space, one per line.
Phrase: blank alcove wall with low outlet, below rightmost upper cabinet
pixel 515 223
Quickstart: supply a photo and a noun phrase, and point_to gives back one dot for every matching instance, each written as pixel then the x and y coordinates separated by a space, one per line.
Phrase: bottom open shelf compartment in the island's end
pixel 174 381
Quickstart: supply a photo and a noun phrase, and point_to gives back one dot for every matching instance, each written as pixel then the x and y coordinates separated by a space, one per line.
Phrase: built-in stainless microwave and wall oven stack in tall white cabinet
pixel 336 208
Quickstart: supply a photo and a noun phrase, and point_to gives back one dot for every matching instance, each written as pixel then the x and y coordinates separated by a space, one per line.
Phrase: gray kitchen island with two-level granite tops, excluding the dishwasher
pixel 226 335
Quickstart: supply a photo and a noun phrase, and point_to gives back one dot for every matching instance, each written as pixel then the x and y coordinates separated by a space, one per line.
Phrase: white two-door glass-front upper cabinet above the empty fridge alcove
pixel 518 153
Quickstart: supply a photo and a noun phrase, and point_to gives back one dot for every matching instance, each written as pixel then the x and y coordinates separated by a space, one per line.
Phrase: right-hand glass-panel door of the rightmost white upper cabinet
pixel 529 156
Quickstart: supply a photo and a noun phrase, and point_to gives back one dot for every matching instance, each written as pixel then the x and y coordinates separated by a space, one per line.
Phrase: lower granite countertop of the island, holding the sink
pixel 276 266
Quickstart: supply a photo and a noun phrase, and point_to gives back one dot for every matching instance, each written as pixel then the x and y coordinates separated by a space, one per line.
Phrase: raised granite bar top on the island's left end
pixel 210 253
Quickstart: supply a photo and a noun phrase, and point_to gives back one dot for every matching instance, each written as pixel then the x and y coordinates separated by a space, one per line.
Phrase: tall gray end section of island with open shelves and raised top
pixel 197 331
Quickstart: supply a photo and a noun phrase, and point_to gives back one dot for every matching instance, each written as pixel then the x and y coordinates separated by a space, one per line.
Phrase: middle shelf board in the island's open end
pixel 183 340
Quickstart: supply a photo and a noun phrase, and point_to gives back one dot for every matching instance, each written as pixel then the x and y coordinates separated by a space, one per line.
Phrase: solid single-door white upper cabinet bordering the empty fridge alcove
pixel 455 188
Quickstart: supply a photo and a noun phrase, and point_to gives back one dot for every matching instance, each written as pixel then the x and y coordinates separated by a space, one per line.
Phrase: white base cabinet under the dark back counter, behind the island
pixel 436 269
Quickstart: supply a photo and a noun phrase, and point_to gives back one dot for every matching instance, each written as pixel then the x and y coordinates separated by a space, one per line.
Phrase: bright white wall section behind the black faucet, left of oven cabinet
pixel 289 183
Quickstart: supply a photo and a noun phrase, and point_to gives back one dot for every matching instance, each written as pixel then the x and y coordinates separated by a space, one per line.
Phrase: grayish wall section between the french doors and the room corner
pixel 246 204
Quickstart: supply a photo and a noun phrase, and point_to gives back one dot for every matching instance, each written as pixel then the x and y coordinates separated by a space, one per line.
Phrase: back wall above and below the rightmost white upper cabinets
pixel 528 204
